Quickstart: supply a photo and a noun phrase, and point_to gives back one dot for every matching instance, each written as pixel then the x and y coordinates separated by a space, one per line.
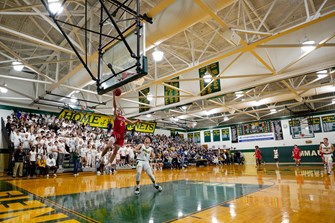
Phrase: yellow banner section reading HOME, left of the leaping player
pixel 94 119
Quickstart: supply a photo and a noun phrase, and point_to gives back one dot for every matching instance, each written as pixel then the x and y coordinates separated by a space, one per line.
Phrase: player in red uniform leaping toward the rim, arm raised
pixel 119 129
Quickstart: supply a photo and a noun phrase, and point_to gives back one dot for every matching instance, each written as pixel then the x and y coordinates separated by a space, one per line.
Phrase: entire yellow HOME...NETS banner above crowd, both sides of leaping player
pixel 101 121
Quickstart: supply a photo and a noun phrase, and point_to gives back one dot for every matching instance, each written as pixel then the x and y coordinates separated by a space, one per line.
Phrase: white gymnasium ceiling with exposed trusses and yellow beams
pixel 268 65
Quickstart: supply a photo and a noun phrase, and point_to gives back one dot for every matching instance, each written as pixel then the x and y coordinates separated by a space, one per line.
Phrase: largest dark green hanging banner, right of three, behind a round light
pixel 212 86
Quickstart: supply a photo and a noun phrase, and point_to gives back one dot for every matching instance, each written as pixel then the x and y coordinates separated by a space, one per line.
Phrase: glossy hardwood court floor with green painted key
pixel 203 194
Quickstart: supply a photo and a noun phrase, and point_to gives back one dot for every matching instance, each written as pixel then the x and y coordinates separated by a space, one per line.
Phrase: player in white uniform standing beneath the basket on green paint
pixel 144 152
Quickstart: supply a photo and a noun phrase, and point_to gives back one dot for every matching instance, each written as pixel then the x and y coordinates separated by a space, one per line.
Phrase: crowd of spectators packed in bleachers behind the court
pixel 41 142
